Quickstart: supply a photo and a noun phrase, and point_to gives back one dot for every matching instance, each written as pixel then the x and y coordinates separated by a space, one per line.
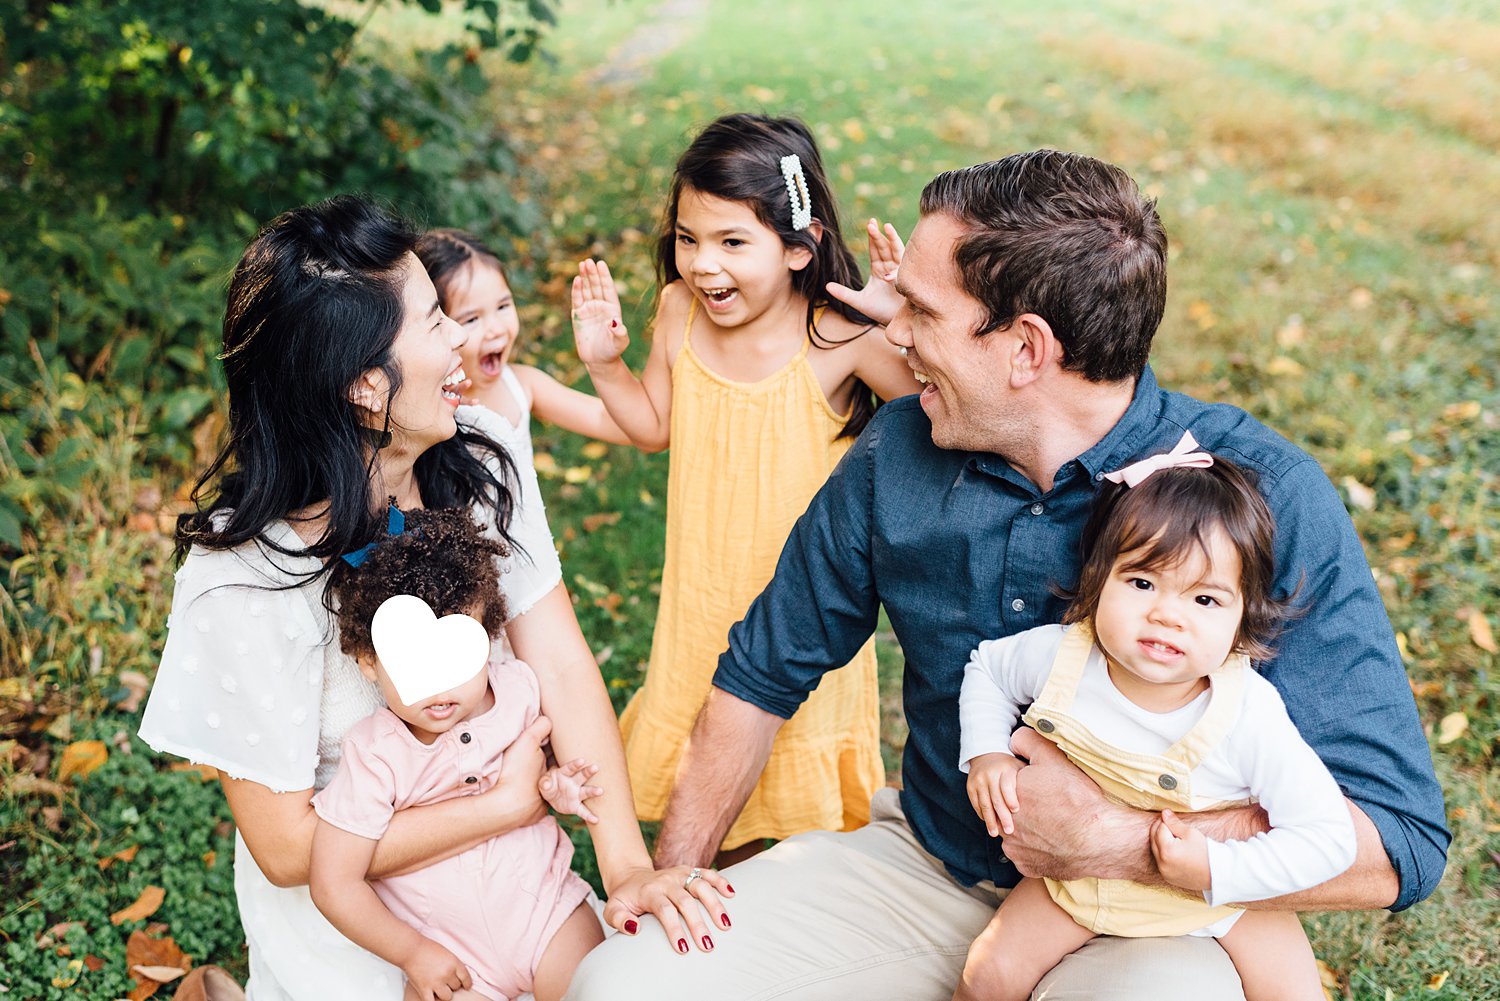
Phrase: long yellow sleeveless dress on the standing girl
pixel 746 461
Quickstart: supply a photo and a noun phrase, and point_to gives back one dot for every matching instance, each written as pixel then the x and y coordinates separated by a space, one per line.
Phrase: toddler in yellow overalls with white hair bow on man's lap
pixel 1148 690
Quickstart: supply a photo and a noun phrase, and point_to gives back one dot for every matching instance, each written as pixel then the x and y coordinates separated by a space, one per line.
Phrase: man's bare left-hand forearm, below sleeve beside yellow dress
pixel 724 760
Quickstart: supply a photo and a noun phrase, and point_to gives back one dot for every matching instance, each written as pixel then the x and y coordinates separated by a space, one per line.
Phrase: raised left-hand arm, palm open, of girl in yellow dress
pixel 640 407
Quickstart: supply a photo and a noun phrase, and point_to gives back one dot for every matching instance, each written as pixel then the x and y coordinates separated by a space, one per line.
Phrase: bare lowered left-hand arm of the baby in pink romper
pixel 338 886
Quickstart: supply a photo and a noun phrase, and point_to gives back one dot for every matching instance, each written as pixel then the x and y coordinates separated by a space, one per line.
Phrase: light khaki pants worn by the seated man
pixel 869 916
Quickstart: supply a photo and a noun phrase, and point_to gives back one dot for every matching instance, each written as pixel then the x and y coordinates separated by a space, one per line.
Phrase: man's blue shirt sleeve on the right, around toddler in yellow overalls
pixel 1342 678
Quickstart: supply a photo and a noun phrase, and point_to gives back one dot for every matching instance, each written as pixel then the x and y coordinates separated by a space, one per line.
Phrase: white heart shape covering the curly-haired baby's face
pixel 425 655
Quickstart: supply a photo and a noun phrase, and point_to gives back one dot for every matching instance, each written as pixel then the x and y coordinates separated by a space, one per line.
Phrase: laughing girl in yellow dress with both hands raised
pixel 760 382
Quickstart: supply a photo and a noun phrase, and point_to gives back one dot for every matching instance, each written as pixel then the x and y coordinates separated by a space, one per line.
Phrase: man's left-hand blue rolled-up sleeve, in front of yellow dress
pixel 821 604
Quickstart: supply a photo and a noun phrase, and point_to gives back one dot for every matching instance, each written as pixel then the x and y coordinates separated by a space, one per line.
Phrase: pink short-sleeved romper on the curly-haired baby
pixel 496 906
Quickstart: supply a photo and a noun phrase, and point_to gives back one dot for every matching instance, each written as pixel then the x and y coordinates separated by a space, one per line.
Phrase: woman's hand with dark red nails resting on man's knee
pixel 674 897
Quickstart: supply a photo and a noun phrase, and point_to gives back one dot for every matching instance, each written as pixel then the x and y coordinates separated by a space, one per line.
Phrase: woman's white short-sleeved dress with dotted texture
pixel 253 682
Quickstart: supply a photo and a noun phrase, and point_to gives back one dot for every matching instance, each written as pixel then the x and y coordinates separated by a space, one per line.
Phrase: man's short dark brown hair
pixel 1070 239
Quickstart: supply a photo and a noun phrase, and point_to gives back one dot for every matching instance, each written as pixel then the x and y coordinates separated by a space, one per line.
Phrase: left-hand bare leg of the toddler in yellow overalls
pixel 1027 937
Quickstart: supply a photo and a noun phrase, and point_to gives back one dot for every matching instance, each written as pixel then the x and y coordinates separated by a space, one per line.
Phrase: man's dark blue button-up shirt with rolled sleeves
pixel 959 549
